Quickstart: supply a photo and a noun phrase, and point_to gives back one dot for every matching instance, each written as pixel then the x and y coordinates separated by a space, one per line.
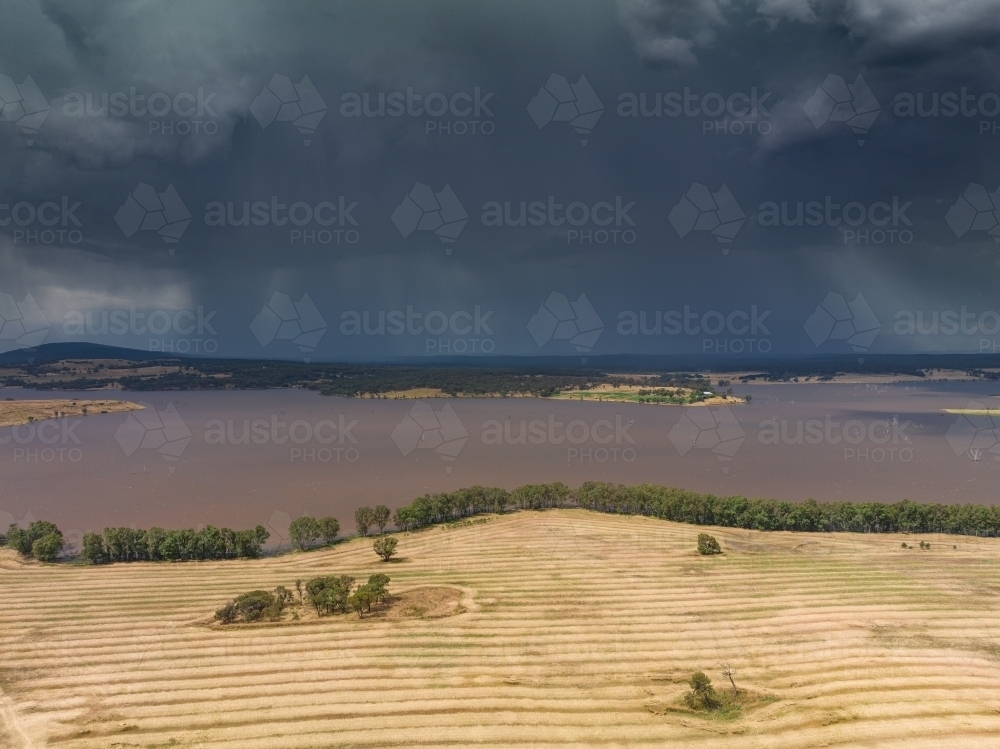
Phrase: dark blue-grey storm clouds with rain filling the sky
pixel 652 71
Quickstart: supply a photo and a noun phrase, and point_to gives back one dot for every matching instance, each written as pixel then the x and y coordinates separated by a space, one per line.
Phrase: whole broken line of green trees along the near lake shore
pixel 43 540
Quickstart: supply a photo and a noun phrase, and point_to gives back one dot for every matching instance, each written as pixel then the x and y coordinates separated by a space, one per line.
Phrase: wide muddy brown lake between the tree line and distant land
pixel 240 458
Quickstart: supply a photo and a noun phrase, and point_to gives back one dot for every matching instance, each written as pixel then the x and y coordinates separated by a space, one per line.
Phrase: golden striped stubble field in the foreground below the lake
pixel 576 629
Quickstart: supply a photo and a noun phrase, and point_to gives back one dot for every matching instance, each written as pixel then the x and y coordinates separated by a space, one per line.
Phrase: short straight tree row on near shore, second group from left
pixel 160 545
